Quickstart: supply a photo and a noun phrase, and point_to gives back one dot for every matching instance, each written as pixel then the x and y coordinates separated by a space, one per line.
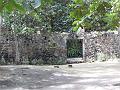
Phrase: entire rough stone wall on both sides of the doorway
pixel 51 48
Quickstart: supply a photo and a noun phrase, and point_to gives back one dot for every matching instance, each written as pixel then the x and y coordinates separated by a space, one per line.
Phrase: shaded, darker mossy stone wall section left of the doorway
pixel 33 49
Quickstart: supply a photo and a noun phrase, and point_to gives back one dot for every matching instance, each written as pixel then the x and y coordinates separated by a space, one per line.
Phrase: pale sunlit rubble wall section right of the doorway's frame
pixel 102 47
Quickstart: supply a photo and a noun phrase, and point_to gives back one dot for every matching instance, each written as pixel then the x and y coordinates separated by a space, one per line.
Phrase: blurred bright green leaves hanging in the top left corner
pixel 21 5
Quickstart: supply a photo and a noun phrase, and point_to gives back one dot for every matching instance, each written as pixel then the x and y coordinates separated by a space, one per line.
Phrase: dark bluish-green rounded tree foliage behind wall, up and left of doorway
pixel 55 17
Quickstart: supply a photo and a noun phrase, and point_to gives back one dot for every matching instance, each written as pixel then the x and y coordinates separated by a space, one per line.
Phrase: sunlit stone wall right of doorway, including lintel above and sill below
pixel 98 46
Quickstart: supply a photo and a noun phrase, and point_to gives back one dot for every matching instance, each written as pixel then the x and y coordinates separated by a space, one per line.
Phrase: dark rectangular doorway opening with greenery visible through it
pixel 75 48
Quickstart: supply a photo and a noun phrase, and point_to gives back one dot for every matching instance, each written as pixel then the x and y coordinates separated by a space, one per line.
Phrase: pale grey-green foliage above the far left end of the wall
pixel 15 22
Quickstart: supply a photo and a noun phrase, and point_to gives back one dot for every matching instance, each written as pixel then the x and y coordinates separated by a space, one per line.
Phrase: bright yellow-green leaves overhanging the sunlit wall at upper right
pixel 95 14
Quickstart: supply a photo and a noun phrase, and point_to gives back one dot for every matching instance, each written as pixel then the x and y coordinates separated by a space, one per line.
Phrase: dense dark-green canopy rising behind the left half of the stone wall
pixel 49 16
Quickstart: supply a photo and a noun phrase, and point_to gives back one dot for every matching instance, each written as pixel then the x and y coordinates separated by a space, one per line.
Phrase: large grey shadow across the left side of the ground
pixel 32 78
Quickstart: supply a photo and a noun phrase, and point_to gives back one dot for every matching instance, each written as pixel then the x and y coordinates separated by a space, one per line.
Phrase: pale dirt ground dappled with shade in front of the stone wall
pixel 86 76
